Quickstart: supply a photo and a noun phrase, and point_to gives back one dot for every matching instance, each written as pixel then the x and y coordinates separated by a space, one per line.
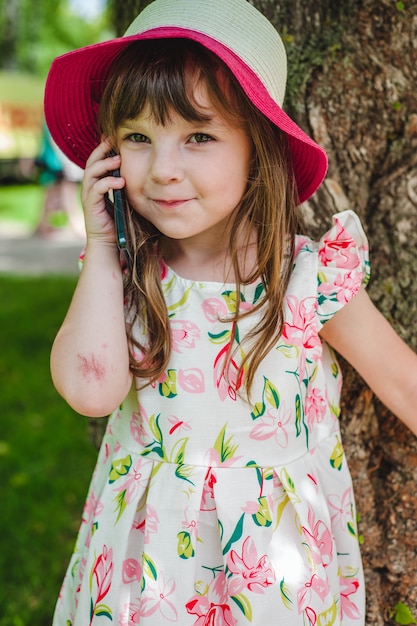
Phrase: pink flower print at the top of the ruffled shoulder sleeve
pixel 339 249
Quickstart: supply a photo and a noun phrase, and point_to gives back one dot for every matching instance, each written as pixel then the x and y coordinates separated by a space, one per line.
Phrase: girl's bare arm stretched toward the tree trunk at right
pixel 361 334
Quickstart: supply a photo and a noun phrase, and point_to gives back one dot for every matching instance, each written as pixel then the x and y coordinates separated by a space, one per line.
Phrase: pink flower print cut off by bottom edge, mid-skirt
pixel 212 613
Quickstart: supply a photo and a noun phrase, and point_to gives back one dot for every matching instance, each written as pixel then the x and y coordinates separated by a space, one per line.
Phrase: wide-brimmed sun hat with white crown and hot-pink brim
pixel 232 29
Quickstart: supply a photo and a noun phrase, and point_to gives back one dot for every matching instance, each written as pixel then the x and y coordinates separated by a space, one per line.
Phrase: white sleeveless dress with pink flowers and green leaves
pixel 207 509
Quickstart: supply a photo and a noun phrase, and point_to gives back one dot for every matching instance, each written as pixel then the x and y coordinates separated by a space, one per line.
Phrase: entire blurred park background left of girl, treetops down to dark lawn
pixel 46 454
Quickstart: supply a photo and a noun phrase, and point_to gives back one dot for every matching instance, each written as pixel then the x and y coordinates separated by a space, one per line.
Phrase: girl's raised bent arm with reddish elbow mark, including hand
pixel 90 357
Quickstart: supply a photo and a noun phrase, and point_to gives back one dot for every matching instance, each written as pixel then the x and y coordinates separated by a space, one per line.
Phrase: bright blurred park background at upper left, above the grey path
pixel 33 194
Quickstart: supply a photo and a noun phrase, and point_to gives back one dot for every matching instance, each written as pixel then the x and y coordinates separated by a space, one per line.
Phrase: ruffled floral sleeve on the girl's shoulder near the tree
pixel 343 265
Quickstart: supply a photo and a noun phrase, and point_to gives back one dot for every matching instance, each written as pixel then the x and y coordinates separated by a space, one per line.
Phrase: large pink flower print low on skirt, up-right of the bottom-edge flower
pixel 249 571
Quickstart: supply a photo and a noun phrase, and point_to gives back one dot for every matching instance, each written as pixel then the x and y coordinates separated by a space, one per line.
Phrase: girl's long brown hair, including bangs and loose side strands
pixel 160 75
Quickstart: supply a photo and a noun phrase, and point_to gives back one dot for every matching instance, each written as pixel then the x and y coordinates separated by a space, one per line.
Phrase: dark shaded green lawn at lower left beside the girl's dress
pixel 46 458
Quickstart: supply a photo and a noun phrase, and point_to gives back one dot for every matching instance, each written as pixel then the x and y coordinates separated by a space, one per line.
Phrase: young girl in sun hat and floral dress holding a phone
pixel 221 493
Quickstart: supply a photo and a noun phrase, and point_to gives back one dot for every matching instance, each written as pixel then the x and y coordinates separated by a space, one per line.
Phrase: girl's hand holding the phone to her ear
pixel 98 180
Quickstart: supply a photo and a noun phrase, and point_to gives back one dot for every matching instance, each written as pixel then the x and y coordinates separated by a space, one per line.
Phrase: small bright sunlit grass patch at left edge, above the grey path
pixel 21 204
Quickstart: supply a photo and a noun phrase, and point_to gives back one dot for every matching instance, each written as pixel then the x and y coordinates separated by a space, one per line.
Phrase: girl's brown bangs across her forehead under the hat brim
pixel 163 77
